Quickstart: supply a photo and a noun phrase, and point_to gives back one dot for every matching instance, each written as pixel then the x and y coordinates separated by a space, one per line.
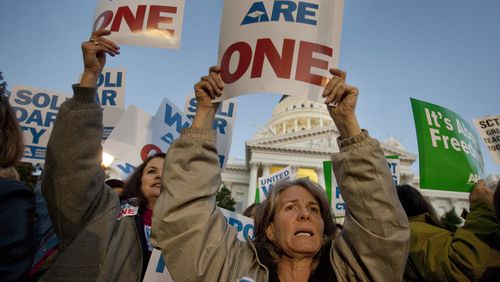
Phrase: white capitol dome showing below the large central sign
pixel 294 114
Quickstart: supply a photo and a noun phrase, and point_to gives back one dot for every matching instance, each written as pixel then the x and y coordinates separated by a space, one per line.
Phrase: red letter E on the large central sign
pixel 305 61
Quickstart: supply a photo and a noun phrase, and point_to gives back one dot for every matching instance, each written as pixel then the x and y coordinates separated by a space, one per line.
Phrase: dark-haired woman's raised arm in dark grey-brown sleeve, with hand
pixel 73 179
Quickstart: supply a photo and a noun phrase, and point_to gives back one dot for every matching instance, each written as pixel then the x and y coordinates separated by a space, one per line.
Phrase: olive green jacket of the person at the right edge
pixel 437 254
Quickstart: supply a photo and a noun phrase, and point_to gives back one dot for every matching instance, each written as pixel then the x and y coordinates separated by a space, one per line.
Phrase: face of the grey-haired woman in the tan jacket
pixel 297 225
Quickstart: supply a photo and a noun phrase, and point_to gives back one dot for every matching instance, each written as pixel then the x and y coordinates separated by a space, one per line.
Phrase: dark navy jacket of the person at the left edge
pixel 17 204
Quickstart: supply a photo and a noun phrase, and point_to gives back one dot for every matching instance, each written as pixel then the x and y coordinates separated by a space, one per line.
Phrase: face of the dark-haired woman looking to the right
pixel 151 181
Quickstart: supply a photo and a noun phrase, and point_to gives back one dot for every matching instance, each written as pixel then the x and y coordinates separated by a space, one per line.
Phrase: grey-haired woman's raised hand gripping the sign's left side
pixel 207 89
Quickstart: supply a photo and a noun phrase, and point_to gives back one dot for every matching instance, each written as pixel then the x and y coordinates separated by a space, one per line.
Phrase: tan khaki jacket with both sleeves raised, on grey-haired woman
pixel 198 245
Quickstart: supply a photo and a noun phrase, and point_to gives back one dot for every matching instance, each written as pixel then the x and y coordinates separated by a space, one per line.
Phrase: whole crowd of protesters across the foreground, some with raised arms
pixel 98 230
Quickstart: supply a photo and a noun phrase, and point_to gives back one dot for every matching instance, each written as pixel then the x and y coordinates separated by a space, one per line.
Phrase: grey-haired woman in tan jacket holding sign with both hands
pixel 295 237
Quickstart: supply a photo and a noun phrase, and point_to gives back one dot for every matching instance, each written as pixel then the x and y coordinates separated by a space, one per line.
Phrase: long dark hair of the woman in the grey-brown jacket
pixel 132 187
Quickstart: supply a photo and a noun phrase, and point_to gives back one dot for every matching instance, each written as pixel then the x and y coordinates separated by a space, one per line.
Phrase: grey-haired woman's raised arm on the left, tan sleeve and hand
pixel 195 240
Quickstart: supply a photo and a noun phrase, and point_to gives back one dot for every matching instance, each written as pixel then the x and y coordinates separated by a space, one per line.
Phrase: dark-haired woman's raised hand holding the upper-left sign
pixel 94 56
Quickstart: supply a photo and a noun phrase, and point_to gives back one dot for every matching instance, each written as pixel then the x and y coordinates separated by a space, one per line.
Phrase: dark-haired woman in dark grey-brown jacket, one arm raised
pixel 100 237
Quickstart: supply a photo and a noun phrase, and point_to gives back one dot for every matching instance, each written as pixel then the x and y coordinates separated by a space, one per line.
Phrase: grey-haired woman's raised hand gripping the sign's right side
pixel 341 99
